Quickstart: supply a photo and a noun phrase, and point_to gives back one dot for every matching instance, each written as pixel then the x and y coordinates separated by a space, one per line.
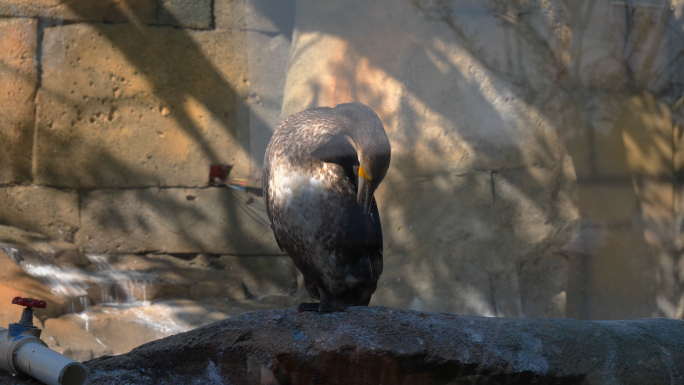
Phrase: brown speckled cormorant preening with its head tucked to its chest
pixel 321 169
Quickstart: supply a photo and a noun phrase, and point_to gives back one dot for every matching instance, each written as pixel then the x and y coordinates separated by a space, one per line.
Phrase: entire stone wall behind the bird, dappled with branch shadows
pixel 535 166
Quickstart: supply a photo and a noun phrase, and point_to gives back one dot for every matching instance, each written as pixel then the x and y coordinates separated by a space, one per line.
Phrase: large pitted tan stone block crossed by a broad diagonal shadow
pixel 133 106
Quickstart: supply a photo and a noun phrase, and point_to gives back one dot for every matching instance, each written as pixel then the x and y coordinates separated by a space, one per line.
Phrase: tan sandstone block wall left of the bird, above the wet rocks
pixel 115 112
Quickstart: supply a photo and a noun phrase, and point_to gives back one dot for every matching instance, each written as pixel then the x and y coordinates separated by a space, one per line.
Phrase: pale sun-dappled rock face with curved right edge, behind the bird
pixel 479 186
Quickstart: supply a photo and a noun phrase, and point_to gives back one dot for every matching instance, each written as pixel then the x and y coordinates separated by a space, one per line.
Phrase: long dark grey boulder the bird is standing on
pixel 379 345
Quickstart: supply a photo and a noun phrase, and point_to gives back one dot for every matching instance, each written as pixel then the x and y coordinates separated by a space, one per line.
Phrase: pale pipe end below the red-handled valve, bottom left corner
pixel 26 354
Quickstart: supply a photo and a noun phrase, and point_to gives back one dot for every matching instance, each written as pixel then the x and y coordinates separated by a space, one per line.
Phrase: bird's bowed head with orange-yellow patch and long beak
pixel 372 147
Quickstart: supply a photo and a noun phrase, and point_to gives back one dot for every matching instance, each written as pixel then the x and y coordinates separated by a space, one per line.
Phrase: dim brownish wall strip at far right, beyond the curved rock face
pixel 623 139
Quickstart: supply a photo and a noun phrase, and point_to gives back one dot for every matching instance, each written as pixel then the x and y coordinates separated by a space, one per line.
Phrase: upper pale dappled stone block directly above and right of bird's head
pixel 457 104
